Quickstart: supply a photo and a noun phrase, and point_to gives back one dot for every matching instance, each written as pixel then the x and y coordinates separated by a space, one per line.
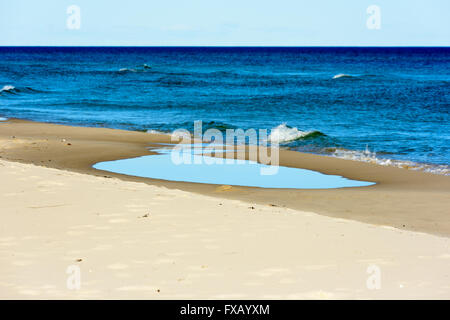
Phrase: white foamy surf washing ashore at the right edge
pixel 371 157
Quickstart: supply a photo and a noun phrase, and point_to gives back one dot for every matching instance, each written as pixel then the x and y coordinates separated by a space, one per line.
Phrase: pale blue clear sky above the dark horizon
pixel 225 23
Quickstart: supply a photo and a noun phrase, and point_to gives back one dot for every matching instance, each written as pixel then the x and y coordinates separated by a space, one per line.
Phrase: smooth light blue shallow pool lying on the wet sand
pixel 200 168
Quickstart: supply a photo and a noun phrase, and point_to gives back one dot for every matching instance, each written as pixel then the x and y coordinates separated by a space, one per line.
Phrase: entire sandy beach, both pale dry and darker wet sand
pixel 137 238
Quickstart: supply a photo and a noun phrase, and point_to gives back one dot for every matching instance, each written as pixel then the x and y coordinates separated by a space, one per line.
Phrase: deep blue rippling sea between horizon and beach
pixel 394 102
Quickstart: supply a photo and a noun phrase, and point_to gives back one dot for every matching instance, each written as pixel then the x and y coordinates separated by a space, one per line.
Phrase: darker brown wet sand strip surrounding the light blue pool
pixel 401 198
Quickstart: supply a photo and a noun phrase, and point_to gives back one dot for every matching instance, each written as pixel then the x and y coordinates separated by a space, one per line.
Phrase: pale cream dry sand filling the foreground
pixel 192 246
